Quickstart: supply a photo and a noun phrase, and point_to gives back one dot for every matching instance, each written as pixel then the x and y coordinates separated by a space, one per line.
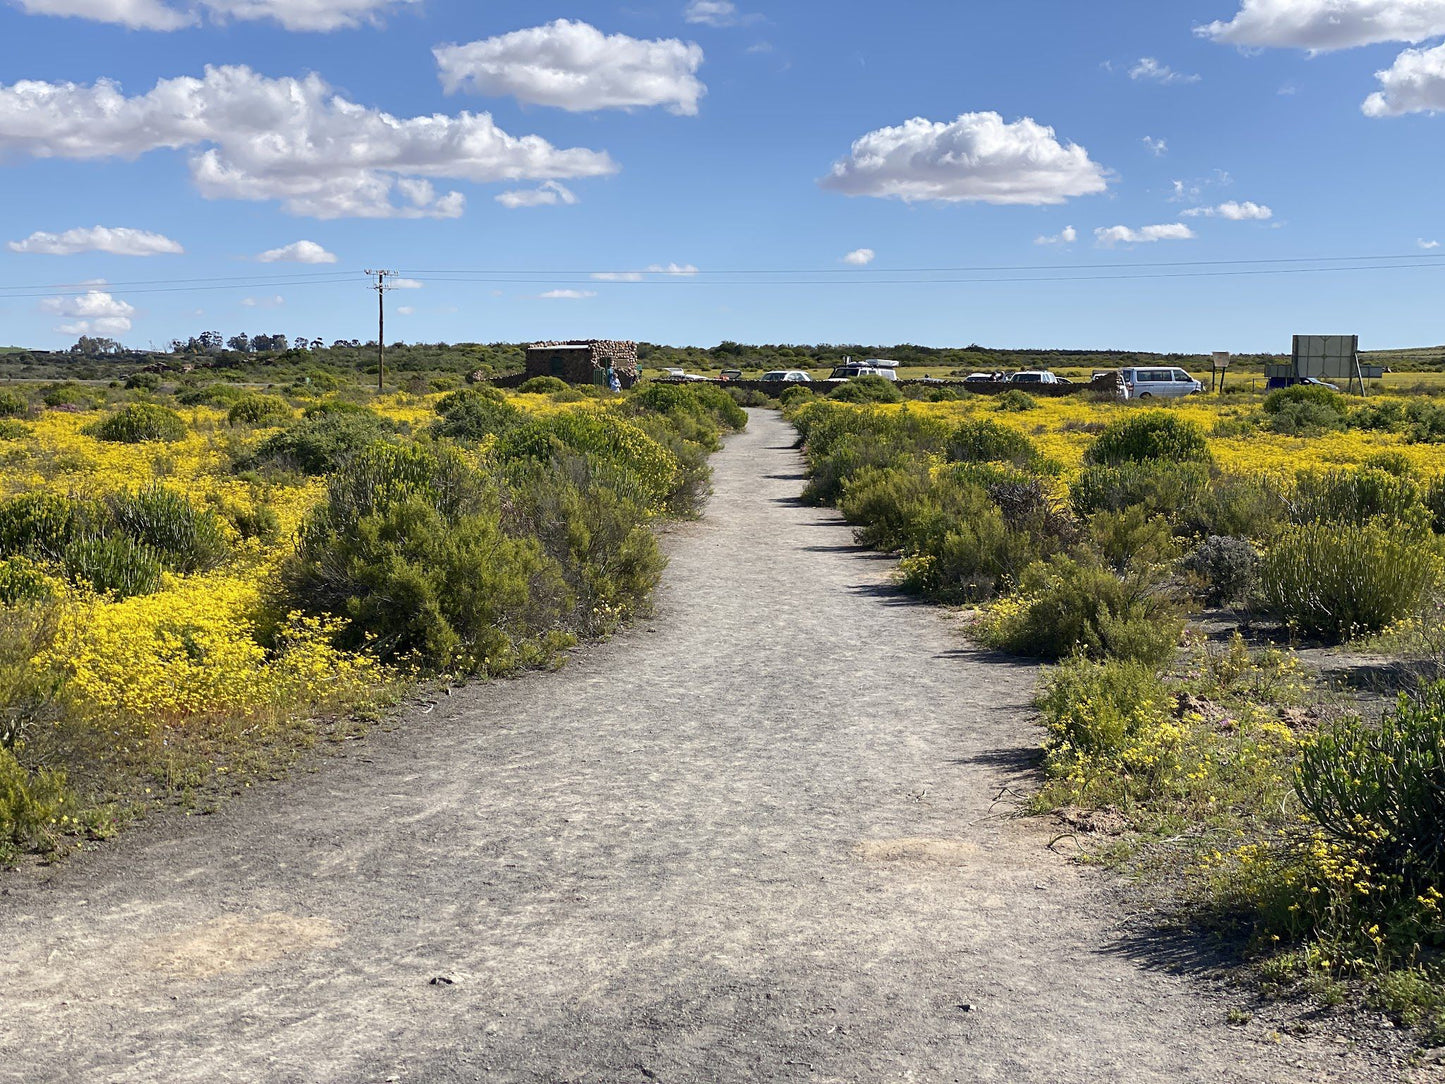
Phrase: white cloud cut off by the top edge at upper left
pixel 152 15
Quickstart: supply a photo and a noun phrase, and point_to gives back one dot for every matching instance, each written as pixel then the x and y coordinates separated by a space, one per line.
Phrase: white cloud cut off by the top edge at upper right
pixel 1327 25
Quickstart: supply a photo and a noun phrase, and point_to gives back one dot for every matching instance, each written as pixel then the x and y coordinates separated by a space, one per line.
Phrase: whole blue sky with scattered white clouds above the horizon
pixel 787 170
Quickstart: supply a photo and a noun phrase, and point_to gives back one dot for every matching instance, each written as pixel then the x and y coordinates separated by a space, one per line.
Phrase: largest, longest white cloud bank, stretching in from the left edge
pixel 296 141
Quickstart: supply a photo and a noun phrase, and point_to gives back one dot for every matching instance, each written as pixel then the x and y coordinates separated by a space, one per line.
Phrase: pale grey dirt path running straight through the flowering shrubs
pixel 752 840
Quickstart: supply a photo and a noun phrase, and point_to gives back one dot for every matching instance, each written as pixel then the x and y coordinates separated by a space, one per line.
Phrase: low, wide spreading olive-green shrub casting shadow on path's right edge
pixel 1079 608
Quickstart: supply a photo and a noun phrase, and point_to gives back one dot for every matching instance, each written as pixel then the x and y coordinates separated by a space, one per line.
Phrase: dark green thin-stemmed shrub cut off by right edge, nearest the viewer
pixel 1381 791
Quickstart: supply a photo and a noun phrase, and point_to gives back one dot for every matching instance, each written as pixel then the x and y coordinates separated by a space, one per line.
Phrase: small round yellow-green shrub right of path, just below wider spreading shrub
pixel 1108 718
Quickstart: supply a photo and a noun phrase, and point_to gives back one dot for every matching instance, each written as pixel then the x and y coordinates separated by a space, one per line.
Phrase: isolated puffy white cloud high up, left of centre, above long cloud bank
pixel 576 67
